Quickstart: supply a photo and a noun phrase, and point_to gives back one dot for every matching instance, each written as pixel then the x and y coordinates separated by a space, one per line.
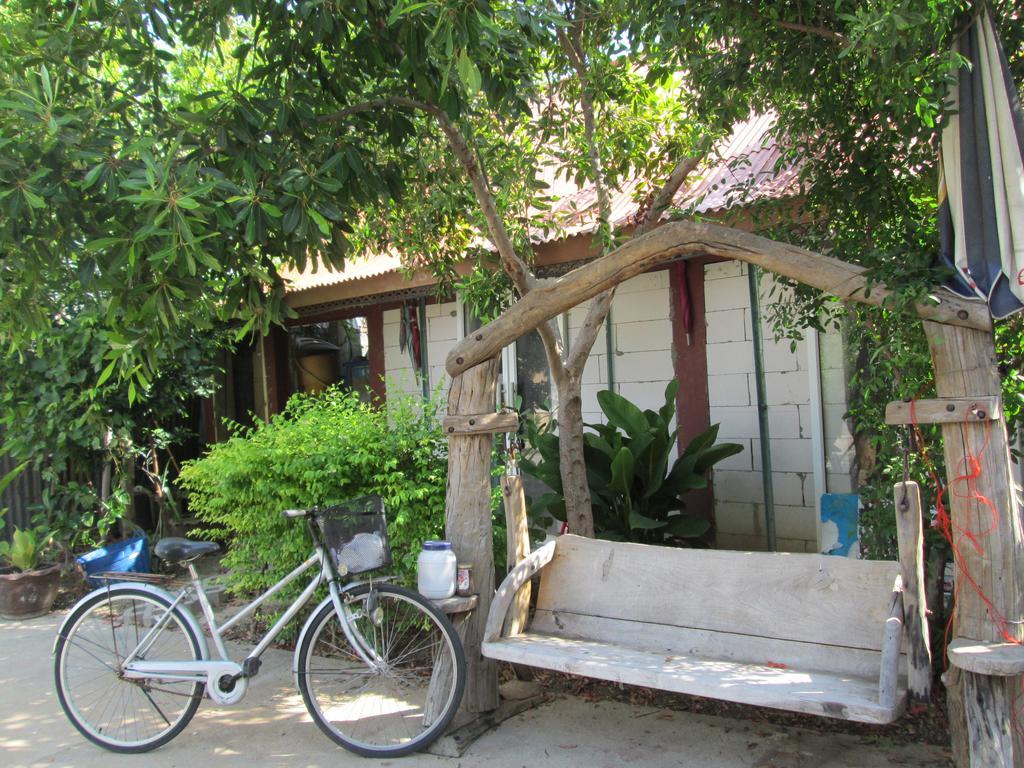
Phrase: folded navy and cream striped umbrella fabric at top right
pixel 982 176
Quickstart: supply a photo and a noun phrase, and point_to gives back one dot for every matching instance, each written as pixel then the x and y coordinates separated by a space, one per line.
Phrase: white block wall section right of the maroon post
pixel 733 395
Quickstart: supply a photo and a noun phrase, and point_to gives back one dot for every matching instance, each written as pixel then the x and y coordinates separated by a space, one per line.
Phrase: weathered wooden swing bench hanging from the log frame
pixel 806 633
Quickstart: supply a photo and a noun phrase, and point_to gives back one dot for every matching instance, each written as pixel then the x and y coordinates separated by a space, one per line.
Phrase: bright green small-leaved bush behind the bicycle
pixel 321 450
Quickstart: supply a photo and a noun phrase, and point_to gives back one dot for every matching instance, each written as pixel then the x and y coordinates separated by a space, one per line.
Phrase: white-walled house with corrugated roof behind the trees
pixel 691 321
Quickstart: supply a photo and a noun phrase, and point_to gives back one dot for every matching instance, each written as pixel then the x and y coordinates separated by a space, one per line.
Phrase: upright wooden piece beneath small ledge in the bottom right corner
pixel 990 712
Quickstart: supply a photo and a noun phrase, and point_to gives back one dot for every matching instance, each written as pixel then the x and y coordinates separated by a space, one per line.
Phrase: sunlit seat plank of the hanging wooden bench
pixel 793 690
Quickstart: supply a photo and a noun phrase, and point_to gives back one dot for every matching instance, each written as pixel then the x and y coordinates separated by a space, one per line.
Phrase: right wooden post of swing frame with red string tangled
pixel 965 367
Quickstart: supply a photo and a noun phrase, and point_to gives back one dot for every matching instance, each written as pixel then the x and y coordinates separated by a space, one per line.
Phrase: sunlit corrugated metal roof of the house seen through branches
pixel 746 167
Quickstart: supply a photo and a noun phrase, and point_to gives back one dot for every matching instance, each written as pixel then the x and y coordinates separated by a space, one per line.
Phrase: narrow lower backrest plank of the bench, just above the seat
pixel 666 639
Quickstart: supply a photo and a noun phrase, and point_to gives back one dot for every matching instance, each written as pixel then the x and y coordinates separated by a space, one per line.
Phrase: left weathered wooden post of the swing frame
pixel 468 522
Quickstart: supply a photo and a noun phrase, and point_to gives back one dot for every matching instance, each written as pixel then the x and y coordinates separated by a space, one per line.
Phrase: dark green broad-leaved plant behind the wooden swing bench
pixel 635 495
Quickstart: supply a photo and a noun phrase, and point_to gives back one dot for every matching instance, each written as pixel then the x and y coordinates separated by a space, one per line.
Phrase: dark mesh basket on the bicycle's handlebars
pixel 356 535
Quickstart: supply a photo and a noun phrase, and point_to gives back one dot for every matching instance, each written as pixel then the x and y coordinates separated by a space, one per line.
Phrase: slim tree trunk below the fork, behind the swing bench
pixel 576 490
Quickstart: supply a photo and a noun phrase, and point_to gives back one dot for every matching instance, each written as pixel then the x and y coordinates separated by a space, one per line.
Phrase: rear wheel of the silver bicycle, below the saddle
pixel 120 715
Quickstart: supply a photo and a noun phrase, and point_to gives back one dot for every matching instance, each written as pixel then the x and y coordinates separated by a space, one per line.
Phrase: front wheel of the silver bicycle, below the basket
pixel 409 694
